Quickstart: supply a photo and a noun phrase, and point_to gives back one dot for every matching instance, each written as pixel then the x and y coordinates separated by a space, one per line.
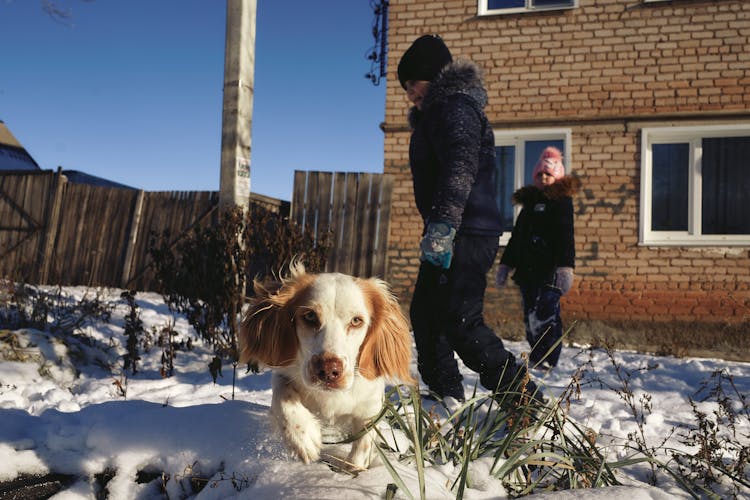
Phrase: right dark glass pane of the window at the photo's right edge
pixel 724 168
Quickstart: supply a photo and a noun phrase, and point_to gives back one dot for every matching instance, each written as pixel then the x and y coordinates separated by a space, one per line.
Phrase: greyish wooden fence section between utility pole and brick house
pixel 354 209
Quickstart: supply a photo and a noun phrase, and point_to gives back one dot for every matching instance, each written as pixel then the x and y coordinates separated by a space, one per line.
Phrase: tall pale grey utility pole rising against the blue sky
pixel 237 111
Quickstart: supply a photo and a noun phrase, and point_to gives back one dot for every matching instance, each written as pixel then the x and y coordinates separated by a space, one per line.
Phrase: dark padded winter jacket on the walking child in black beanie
pixel 452 153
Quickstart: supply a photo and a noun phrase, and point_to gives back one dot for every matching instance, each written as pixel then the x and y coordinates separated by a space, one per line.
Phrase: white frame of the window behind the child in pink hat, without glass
pixel 517 138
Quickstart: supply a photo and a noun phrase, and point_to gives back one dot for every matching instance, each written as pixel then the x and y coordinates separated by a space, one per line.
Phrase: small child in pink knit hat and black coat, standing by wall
pixel 542 252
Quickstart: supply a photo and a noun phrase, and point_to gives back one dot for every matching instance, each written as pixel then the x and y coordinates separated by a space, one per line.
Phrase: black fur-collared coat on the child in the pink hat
pixel 542 239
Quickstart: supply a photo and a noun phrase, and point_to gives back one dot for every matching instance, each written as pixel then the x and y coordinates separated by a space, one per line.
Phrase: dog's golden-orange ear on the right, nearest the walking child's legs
pixel 386 350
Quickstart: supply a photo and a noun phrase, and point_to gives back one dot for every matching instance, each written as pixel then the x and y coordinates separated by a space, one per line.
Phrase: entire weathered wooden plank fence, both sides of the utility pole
pixel 57 232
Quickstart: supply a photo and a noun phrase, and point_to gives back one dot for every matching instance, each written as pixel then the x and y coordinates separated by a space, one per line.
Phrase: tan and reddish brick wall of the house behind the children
pixel 605 70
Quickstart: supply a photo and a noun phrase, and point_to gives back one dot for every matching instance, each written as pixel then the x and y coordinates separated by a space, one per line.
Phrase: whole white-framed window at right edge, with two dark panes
pixel 694 185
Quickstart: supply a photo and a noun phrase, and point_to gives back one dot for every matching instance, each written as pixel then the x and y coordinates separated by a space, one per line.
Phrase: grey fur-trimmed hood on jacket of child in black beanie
pixel 458 77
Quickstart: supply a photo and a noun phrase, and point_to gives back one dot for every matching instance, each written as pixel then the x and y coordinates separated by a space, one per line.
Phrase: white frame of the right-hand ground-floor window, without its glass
pixel 692 135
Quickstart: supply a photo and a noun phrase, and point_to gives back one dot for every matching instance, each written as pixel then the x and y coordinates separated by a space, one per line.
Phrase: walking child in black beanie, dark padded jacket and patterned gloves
pixel 452 162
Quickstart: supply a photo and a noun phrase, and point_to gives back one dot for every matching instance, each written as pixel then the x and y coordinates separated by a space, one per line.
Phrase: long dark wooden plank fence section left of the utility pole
pixel 53 231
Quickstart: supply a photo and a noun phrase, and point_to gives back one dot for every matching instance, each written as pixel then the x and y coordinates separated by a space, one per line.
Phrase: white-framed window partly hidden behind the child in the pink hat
pixel 516 153
